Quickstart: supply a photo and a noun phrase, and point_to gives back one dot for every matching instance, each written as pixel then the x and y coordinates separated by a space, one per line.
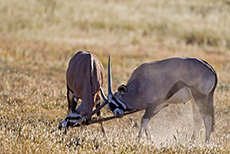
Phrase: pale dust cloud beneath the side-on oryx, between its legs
pixel 173 124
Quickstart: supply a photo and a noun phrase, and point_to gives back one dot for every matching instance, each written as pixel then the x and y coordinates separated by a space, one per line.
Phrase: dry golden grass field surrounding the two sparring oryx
pixel 38 38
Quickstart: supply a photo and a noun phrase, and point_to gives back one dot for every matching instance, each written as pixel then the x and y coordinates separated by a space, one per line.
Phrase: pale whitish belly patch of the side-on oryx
pixel 182 96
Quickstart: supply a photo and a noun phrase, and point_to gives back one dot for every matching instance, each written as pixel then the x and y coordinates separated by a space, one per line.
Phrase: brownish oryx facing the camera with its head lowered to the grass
pixel 84 78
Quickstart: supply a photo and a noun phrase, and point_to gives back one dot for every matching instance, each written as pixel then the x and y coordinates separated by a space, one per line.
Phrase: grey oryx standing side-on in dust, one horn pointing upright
pixel 153 86
